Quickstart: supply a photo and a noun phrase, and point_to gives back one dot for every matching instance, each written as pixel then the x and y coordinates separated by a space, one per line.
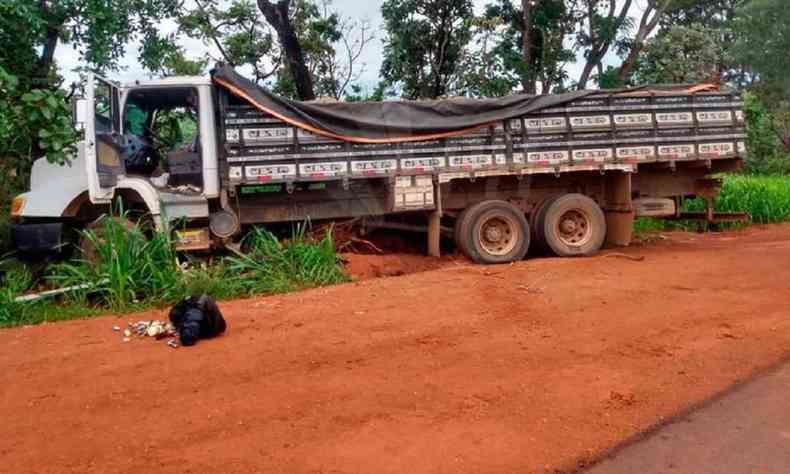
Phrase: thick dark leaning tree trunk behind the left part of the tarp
pixel 277 16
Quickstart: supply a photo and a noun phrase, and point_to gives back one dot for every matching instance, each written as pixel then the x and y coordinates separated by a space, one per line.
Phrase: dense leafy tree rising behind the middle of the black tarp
pixel 424 45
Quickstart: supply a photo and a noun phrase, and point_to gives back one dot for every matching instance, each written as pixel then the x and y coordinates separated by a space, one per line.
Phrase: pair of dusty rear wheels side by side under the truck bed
pixel 492 232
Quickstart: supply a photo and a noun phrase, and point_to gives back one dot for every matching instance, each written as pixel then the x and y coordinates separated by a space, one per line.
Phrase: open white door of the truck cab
pixel 102 130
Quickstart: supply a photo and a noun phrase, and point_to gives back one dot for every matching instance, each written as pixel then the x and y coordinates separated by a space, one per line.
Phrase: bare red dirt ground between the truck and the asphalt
pixel 535 367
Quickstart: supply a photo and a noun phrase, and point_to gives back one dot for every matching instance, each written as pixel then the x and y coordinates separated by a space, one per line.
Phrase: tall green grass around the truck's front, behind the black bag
pixel 134 269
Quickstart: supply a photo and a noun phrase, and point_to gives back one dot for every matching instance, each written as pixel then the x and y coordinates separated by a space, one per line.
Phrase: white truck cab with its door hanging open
pixel 151 143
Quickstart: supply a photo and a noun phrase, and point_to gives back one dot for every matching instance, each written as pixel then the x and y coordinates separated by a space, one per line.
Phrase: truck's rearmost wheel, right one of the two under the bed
pixel 573 225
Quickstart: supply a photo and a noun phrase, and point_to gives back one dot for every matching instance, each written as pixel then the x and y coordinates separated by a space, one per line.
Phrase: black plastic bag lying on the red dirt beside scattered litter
pixel 197 317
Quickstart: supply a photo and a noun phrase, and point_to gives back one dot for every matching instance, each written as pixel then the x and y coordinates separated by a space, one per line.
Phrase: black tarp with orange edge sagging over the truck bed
pixel 395 121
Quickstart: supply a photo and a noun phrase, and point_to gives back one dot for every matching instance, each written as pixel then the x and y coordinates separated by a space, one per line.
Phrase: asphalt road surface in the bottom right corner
pixel 746 431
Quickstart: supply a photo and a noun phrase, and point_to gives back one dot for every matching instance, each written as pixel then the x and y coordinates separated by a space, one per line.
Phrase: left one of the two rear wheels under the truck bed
pixel 493 232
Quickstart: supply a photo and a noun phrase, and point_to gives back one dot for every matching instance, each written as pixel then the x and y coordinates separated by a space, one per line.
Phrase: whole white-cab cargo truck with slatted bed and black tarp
pixel 567 173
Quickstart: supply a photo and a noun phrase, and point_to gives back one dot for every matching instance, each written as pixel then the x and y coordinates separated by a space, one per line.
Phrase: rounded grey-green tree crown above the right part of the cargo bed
pixel 683 54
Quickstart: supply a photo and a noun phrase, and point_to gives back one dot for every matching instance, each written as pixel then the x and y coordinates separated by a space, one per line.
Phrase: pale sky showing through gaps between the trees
pixel 68 58
